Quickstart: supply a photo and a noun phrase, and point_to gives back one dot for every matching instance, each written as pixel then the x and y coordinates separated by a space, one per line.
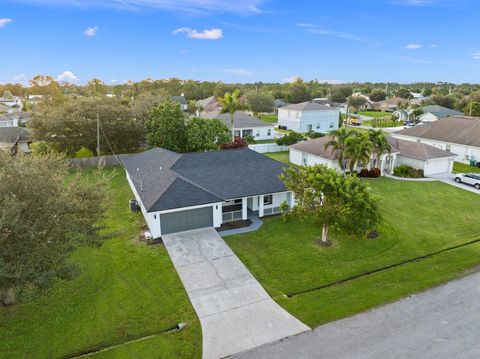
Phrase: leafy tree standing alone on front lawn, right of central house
pixel 328 199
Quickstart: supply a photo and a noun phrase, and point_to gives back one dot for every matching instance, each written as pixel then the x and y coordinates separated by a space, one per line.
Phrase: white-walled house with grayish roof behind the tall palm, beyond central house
pixel 245 125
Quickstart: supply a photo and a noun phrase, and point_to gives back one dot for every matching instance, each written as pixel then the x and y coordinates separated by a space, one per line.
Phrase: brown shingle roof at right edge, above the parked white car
pixel 456 129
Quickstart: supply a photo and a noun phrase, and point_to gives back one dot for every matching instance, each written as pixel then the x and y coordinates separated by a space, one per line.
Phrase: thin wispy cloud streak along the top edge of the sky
pixel 193 7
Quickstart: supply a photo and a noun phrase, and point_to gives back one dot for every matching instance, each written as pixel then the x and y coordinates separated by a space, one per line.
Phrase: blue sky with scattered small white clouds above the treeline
pixel 241 40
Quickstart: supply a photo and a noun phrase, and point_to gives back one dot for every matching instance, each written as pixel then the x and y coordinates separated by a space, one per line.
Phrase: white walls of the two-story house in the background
pixel 299 121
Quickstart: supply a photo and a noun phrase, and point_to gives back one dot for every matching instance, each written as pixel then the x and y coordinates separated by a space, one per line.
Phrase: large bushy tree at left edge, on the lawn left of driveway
pixel 43 218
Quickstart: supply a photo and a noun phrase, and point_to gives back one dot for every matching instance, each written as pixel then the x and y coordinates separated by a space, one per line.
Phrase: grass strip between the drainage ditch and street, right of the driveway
pixel 340 301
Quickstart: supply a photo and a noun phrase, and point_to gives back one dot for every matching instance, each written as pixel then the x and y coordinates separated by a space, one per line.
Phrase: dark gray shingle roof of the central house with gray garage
pixel 170 180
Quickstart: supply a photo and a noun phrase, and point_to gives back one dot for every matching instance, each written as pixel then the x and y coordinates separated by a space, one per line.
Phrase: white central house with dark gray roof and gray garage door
pixel 180 192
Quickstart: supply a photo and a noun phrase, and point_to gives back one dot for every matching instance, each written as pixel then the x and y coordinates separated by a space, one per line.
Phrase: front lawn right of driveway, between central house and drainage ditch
pixel 419 218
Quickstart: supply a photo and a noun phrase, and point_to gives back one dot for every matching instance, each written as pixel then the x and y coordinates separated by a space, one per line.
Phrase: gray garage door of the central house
pixel 186 220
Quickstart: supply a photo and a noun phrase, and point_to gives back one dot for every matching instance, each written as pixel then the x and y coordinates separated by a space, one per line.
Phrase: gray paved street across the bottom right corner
pixel 441 323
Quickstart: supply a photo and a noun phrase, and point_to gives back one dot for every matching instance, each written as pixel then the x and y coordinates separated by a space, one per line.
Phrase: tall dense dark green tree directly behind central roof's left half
pixel 166 127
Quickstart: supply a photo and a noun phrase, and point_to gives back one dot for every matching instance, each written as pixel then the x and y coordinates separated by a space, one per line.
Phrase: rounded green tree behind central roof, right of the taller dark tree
pixel 205 134
